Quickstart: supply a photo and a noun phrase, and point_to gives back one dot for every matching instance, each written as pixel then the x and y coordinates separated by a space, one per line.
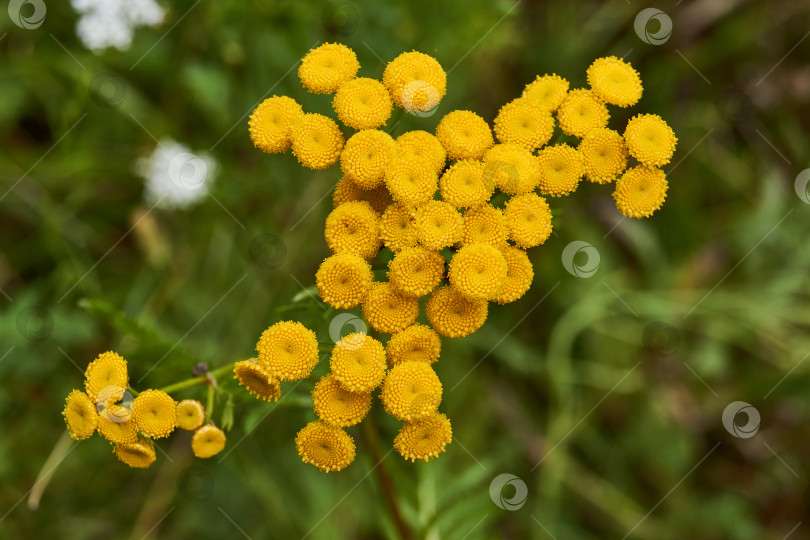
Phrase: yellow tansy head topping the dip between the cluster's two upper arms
pixel 464 135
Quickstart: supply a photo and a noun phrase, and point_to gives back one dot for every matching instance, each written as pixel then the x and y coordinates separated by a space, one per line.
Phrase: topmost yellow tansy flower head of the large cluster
pixel 325 68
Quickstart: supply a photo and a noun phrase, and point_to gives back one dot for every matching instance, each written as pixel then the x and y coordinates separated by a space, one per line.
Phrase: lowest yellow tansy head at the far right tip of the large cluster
pixel 640 191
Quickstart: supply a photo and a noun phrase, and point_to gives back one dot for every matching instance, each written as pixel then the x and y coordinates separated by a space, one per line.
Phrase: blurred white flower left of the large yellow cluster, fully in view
pixel 174 177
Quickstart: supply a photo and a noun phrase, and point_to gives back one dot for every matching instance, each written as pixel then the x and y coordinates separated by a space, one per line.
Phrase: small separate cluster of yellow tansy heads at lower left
pixel 131 425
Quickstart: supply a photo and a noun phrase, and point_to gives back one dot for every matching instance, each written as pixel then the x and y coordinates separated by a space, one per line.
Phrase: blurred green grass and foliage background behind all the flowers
pixel 602 394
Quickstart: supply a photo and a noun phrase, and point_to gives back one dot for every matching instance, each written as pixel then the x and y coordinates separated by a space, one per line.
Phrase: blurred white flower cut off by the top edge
pixel 110 23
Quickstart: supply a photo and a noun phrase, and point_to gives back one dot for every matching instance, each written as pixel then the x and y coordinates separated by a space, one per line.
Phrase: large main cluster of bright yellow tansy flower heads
pixel 452 238
